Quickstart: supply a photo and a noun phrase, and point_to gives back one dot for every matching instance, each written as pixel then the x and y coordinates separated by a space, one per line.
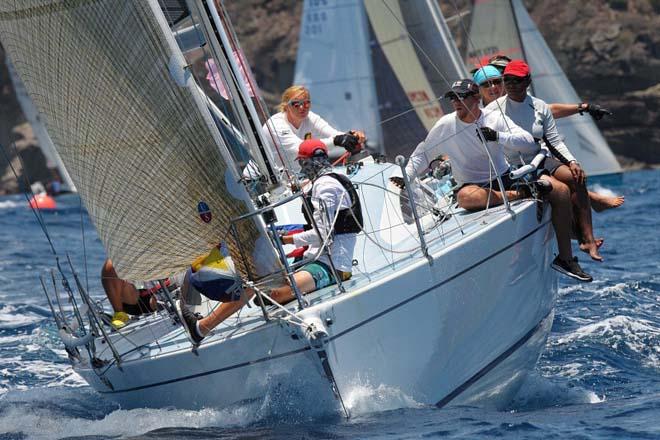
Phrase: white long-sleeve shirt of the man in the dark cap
pixel 459 140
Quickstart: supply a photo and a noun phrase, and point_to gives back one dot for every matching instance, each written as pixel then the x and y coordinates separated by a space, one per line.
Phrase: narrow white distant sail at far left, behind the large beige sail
pixel 36 120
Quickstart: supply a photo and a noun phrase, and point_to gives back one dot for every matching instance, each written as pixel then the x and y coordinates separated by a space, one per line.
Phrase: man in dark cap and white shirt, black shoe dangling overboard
pixel 454 135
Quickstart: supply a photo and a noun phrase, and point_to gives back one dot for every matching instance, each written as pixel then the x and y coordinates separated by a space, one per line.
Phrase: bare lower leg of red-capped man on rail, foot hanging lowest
pixel 582 210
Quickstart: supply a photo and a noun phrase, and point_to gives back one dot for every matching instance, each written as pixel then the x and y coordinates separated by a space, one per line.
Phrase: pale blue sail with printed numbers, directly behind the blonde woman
pixel 334 63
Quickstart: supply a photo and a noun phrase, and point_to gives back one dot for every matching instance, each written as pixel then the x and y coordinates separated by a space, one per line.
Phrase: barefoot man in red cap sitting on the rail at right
pixel 535 116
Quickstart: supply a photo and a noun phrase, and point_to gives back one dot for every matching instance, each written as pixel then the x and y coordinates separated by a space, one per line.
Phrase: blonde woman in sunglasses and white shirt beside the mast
pixel 295 122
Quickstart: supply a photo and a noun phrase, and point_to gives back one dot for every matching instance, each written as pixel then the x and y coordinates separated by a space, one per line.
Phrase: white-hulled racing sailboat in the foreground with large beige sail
pixel 453 308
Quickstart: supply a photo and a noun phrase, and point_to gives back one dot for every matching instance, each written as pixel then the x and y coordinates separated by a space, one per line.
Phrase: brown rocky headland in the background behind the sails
pixel 610 50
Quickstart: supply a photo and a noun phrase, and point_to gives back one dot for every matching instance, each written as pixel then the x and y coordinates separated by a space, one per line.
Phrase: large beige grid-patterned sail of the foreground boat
pixel 134 132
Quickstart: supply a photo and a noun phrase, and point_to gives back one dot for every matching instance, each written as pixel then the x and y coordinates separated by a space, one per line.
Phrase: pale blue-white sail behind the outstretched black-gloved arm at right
pixel 551 84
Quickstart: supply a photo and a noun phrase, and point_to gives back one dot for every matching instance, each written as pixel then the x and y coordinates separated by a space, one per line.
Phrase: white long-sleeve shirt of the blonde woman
pixel 288 138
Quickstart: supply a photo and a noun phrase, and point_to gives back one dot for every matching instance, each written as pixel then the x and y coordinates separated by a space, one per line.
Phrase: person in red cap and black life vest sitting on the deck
pixel 336 211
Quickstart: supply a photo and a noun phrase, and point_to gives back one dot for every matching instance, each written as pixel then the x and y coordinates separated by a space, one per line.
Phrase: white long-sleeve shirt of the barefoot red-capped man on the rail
pixel 534 116
